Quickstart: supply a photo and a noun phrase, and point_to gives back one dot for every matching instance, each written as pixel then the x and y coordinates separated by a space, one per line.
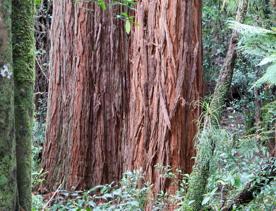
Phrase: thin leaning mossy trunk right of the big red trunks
pixel 206 142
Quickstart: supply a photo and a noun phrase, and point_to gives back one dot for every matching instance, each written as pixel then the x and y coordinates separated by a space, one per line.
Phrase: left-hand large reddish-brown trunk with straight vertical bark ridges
pixel 87 96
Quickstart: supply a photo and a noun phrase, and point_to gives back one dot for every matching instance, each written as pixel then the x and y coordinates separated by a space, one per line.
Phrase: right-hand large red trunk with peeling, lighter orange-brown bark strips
pixel 166 81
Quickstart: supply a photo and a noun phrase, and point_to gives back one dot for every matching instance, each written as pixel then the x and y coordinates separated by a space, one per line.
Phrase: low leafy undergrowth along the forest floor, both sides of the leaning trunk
pixel 236 162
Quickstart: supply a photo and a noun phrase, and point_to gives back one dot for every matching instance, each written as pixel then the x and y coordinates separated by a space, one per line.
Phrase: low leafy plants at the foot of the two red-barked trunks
pixel 127 195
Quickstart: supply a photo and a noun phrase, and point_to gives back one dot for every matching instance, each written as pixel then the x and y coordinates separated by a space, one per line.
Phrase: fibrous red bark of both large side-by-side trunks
pixel 104 116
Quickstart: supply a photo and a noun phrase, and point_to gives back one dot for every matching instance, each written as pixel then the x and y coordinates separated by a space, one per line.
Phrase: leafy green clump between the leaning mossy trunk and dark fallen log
pixel 235 163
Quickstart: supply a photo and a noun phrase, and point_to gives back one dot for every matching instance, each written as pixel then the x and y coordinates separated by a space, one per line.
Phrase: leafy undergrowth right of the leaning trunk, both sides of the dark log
pixel 235 165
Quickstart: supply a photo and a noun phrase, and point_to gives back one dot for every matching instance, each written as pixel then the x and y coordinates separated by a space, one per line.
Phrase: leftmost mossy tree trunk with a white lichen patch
pixel 7 139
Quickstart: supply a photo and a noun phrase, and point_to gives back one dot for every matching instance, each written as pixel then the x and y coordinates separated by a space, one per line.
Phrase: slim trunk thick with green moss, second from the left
pixel 23 57
